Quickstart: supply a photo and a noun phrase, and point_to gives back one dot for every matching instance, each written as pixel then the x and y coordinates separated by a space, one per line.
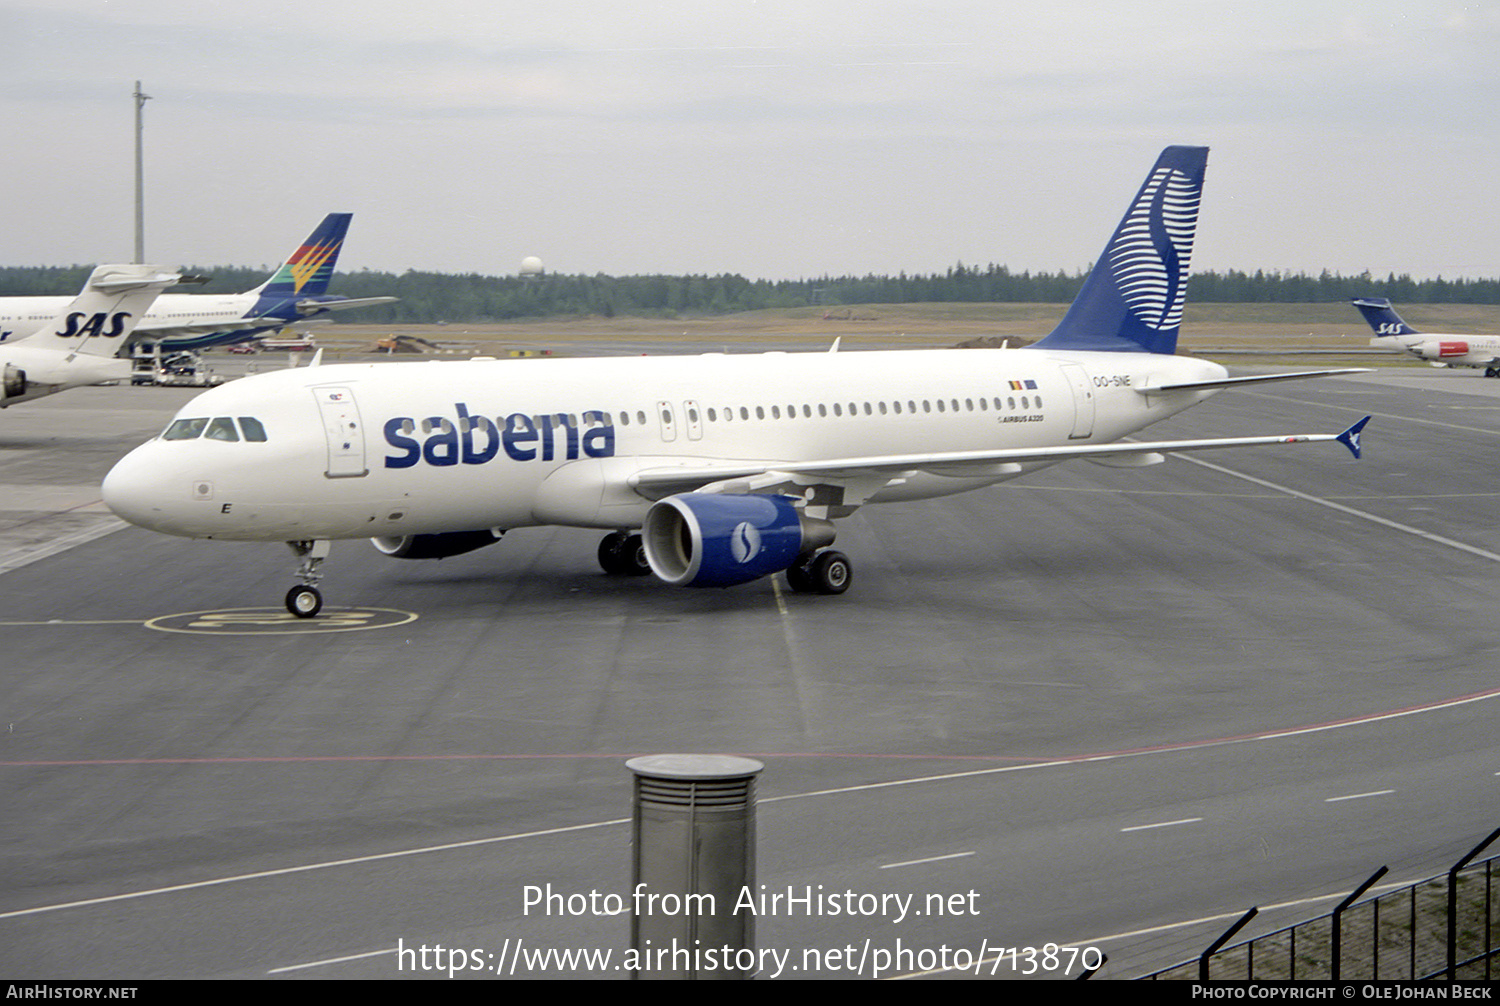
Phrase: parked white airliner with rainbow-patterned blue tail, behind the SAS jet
pixel 296 293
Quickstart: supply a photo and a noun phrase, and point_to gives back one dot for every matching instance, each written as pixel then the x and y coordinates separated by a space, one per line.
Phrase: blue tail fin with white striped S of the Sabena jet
pixel 1133 299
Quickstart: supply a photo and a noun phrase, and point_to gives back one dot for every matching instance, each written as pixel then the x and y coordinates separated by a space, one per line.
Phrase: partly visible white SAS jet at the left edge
pixel 77 347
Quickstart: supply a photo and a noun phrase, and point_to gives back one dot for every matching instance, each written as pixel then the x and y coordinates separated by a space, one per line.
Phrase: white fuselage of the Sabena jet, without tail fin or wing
pixel 431 448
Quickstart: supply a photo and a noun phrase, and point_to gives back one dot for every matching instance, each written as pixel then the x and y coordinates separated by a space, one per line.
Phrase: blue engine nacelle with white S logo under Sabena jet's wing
pixel 722 539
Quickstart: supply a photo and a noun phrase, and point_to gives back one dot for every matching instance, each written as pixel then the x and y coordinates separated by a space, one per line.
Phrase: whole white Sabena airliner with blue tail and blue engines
pixel 731 467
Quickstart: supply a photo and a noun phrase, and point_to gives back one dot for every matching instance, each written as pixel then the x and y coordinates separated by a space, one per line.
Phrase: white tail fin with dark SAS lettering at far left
pixel 106 313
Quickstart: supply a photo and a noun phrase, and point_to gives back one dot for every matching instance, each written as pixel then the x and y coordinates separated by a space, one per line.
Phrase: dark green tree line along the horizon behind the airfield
pixel 470 298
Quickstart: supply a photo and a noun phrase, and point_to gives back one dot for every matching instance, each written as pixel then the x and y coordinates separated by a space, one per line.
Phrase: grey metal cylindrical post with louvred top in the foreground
pixel 694 840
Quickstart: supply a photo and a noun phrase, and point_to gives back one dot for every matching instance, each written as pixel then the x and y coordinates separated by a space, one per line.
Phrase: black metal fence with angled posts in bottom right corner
pixel 1445 927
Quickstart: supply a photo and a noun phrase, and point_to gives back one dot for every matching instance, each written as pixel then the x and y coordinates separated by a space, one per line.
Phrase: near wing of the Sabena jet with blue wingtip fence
pixel 874 473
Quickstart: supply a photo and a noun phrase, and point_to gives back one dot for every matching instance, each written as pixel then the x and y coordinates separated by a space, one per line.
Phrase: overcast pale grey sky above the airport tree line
pixel 761 137
